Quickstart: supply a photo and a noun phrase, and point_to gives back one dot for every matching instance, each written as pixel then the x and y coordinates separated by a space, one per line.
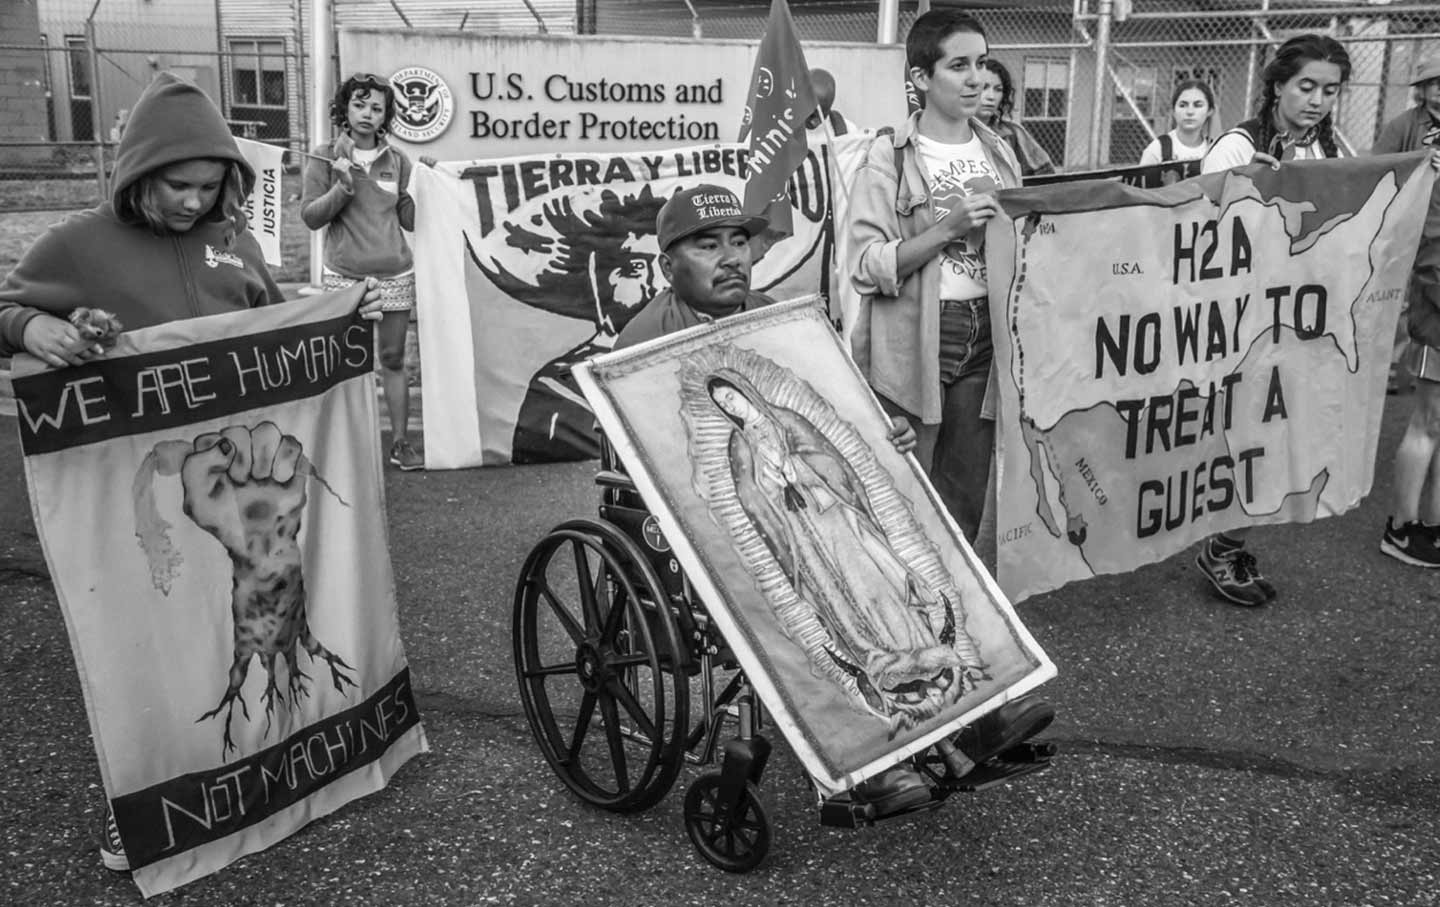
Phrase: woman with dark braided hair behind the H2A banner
pixel 1294 122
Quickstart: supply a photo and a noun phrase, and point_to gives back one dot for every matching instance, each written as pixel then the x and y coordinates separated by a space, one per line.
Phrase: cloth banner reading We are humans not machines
pixel 211 505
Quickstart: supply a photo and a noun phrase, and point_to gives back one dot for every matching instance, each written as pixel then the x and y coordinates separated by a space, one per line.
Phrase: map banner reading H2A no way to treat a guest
pixel 1186 361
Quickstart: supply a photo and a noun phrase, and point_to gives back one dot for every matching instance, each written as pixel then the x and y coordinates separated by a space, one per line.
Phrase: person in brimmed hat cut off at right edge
pixel 1413 529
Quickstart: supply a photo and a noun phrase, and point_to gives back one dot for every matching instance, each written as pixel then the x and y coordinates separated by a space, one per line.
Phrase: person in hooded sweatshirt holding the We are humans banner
pixel 169 245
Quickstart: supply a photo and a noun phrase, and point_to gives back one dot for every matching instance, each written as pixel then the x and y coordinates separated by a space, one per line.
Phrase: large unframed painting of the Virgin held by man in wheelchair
pixel 860 615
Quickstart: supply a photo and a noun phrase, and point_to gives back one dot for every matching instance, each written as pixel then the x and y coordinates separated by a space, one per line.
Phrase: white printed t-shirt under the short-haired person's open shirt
pixel 953 173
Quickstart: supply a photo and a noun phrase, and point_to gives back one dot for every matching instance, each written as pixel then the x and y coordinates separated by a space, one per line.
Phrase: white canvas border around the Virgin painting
pixel 708 591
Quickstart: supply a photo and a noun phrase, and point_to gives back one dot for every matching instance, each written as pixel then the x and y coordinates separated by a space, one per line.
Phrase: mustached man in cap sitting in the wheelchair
pixel 706 257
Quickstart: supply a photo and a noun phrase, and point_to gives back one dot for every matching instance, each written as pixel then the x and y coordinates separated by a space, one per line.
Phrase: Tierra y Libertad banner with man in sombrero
pixel 529 266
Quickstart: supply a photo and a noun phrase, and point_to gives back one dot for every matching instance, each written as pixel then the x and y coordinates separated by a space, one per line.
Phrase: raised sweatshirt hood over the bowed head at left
pixel 174 122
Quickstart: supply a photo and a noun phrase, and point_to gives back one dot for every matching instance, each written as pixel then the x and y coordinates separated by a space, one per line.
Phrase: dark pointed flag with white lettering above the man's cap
pixel 781 100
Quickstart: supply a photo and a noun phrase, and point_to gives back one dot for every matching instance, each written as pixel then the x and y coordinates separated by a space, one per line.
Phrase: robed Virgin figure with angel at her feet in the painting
pixel 889 630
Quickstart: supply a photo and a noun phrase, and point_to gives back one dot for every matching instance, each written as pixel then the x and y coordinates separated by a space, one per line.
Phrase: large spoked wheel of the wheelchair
pixel 601 667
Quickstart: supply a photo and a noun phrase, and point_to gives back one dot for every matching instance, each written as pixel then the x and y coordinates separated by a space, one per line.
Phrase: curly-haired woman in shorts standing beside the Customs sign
pixel 358 191
